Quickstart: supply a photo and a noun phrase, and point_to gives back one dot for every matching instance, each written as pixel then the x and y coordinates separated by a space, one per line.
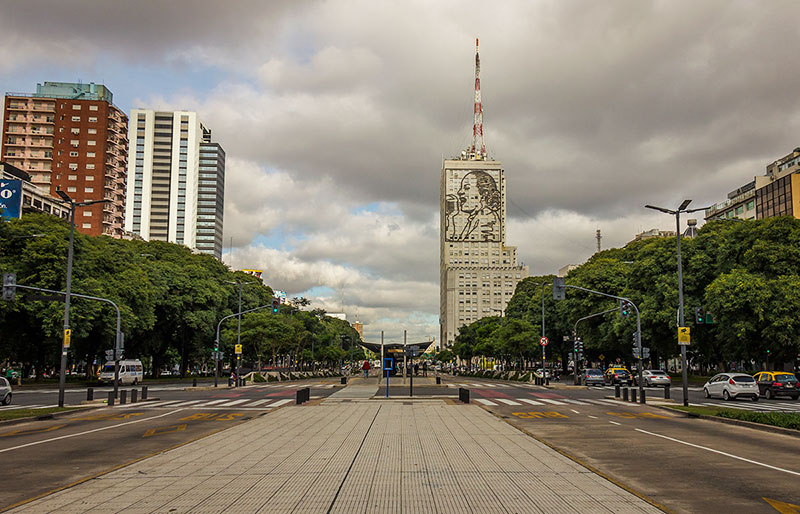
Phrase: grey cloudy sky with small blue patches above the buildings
pixel 336 116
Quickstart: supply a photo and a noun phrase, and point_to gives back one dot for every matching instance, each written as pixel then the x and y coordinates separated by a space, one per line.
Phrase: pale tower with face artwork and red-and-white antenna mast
pixel 478 272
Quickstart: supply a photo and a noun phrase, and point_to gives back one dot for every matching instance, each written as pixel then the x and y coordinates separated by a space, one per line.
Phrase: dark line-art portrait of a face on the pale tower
pixel 472 213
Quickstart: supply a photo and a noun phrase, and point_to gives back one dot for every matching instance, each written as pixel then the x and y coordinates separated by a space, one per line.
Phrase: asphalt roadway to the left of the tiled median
pixel 42 456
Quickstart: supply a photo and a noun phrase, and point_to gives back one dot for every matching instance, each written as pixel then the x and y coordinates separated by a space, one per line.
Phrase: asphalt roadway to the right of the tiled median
pixel 687 465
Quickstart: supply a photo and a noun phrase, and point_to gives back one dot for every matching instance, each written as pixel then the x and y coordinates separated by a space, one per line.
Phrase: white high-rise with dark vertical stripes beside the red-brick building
pixel 165 189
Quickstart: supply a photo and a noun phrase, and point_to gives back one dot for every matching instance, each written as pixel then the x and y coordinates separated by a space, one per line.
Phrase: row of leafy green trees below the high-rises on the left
pixel 170 299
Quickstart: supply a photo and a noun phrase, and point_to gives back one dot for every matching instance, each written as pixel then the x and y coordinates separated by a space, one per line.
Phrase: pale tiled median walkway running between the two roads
pixel 361 456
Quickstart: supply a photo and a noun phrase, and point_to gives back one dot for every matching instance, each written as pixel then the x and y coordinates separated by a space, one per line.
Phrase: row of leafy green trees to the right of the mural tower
pixel 747 274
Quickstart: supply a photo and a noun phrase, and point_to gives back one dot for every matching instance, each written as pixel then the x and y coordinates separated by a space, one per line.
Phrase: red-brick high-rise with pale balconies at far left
pixel 71 136
